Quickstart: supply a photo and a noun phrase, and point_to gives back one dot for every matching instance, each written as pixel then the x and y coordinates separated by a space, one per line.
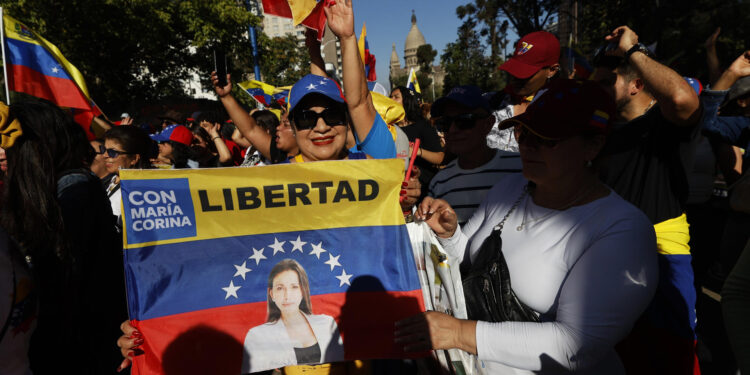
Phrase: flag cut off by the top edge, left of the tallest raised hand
pixel 308 13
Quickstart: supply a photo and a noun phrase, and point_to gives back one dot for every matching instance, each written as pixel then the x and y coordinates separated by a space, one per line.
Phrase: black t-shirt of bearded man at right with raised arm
pixel 642 163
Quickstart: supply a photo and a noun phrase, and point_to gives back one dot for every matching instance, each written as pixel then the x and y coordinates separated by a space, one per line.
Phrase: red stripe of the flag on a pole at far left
pixel 60 91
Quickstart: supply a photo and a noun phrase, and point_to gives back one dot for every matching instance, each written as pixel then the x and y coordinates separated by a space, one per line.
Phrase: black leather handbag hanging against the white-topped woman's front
pixel 487 289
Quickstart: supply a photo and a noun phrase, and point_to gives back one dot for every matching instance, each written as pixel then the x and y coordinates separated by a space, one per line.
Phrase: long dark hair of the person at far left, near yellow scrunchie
pixel 51 144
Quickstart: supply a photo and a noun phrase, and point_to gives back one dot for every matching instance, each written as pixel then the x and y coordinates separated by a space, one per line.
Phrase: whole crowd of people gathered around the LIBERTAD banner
pixel 592 193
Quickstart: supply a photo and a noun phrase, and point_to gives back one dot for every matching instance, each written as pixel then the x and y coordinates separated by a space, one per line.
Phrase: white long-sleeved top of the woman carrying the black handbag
pixel 590 271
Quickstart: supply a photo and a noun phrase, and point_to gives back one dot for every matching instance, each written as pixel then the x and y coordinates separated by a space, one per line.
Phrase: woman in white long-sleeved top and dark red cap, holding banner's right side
pixel 578 255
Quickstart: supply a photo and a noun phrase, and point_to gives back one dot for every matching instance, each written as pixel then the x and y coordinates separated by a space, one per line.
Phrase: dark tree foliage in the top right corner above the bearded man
pixel 679 29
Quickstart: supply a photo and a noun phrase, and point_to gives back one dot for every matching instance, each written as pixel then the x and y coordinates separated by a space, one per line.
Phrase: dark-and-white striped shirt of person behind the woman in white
pixel 465 189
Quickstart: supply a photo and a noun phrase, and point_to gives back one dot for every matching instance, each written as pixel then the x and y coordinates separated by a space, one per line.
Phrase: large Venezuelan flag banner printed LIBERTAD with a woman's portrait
pixel 201 246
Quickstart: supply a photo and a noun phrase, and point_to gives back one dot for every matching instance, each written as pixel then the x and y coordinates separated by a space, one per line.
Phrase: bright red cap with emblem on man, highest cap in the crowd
pixel 533 52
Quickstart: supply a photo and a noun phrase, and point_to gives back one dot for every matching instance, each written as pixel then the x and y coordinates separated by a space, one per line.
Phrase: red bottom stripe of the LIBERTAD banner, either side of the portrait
pixel 212 341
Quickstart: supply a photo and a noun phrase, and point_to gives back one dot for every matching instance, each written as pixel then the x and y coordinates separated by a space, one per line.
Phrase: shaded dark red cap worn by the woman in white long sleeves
pixel 568 108
